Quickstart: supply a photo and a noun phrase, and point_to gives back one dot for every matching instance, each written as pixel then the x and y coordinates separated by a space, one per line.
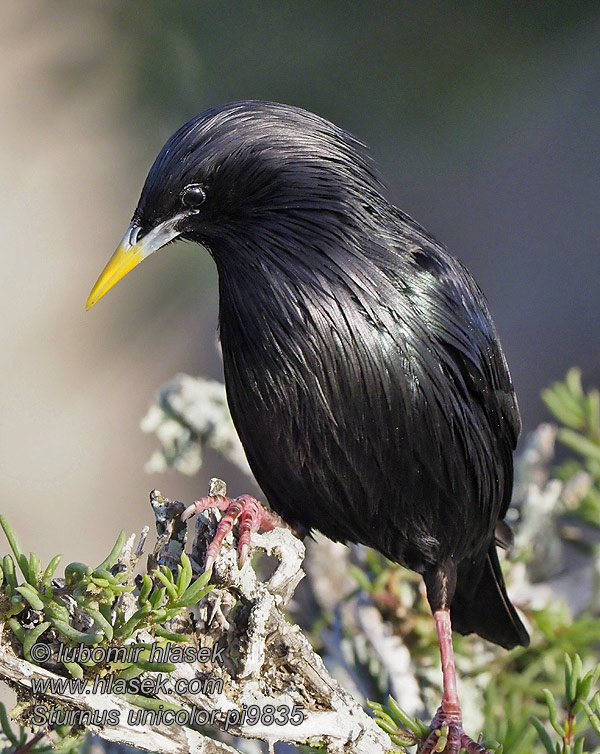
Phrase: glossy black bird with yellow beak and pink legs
pixel 363 370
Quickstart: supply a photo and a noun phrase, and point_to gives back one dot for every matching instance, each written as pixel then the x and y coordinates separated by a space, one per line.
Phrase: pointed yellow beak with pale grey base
pixel 129 254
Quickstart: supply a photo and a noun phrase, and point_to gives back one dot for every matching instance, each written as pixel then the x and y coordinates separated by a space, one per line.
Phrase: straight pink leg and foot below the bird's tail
pixel 447 734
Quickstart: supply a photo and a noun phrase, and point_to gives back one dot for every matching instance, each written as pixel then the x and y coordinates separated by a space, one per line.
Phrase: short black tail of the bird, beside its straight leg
pixel 487 610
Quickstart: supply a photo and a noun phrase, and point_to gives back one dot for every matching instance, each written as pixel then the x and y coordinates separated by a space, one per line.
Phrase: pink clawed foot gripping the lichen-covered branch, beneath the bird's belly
pixel 245 509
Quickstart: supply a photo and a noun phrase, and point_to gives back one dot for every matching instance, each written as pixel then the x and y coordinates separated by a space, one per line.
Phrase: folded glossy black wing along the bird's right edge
pixel 455 314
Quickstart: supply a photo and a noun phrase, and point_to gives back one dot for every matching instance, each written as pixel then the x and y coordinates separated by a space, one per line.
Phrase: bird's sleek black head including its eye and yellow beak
pixel 243 172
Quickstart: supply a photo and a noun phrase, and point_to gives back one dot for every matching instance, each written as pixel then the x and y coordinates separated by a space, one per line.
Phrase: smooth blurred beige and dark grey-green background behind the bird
pixel 483 118
